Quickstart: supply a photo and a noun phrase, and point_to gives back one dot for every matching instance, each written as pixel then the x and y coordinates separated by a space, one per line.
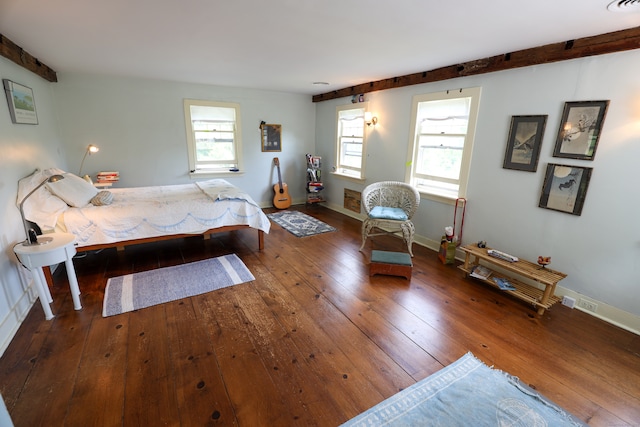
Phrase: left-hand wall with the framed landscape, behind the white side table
pixel 22 149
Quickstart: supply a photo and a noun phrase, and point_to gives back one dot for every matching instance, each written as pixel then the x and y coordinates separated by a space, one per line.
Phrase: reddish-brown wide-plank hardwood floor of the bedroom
pixel 312 341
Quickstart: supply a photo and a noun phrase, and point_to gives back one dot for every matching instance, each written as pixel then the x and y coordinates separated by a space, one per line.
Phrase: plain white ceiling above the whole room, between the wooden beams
pixel 287 45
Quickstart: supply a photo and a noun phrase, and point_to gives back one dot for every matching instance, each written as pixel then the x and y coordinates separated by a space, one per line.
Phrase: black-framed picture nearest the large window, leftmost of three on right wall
pixel 524 142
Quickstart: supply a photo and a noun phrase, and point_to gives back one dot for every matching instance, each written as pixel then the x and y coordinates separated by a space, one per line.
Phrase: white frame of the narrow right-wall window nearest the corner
pixel 358 111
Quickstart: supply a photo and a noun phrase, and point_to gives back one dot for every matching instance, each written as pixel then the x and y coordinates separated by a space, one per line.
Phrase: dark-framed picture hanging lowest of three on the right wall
pixel 565 188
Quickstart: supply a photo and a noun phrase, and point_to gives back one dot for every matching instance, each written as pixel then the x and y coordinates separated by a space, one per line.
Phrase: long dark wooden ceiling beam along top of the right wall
pixel 588 46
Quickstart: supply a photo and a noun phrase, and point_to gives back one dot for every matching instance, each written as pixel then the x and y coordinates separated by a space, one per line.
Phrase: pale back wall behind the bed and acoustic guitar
pixel 139 126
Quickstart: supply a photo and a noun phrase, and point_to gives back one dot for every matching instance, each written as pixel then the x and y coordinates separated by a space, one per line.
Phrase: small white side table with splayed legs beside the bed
pixel 60 249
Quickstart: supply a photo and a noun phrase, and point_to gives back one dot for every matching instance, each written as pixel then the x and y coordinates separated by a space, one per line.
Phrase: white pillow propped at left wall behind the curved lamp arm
pixel 41 207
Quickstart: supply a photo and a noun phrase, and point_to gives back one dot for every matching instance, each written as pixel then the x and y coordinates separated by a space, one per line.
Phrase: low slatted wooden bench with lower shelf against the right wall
pixel 542 299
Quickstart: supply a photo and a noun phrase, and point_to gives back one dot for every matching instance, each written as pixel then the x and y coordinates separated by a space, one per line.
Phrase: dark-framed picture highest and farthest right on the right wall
pixel 580 129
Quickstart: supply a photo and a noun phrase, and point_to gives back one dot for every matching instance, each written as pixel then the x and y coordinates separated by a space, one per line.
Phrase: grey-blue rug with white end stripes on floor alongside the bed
pixel 147 288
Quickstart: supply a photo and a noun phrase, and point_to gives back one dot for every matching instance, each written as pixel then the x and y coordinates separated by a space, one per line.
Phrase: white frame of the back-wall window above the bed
pixel 204 169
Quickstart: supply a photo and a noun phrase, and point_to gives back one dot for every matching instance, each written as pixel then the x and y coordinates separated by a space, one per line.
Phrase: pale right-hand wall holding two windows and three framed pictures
pixel 599 250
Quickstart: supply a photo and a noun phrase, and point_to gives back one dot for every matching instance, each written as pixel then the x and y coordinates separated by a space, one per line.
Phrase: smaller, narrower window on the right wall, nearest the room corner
pixel 350 141
